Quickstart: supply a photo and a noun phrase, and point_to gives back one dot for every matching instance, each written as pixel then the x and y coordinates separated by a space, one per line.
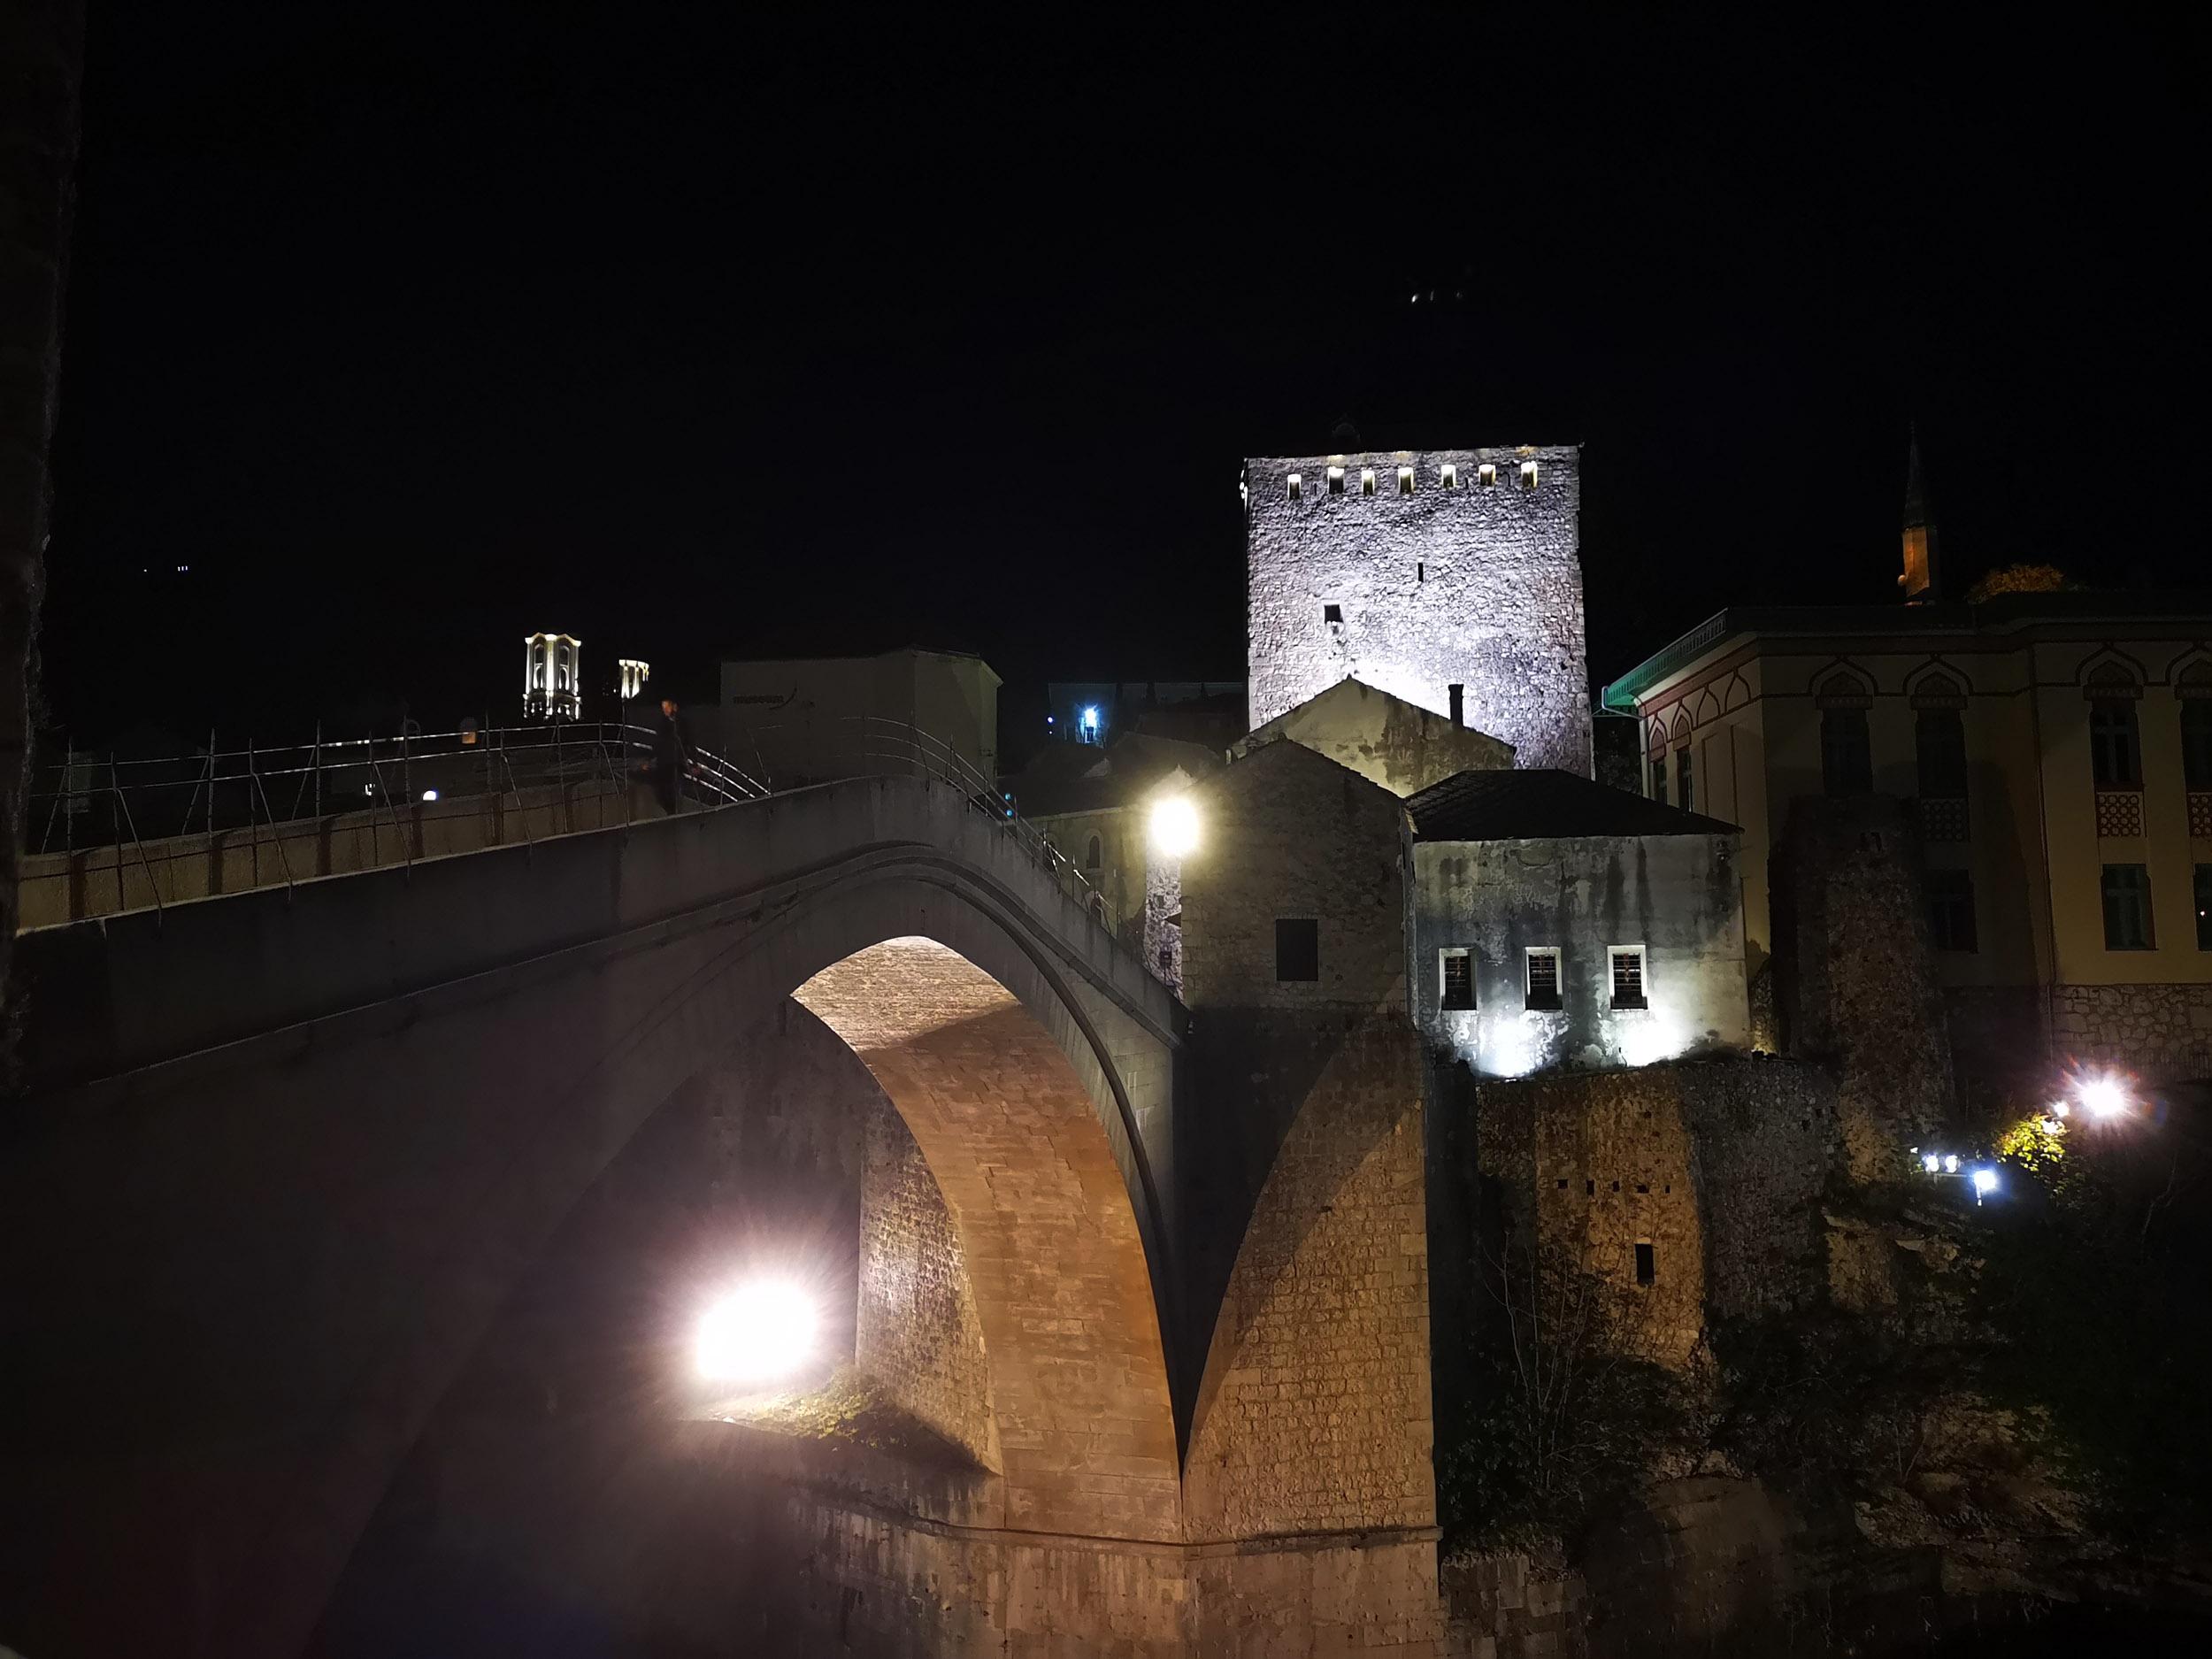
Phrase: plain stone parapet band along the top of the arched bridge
pixel 145 988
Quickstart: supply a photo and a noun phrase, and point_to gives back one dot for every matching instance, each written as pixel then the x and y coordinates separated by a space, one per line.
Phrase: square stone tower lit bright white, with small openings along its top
pixel 1443 576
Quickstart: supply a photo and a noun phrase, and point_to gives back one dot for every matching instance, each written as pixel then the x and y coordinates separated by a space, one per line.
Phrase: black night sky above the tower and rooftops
pixel 751 333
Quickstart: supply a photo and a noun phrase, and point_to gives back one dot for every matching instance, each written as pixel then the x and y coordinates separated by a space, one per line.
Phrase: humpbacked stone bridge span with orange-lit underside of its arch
pixel 428 1142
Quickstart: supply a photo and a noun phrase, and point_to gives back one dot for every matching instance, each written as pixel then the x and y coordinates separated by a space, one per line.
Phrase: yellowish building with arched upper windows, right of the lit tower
pixel 2054 753
